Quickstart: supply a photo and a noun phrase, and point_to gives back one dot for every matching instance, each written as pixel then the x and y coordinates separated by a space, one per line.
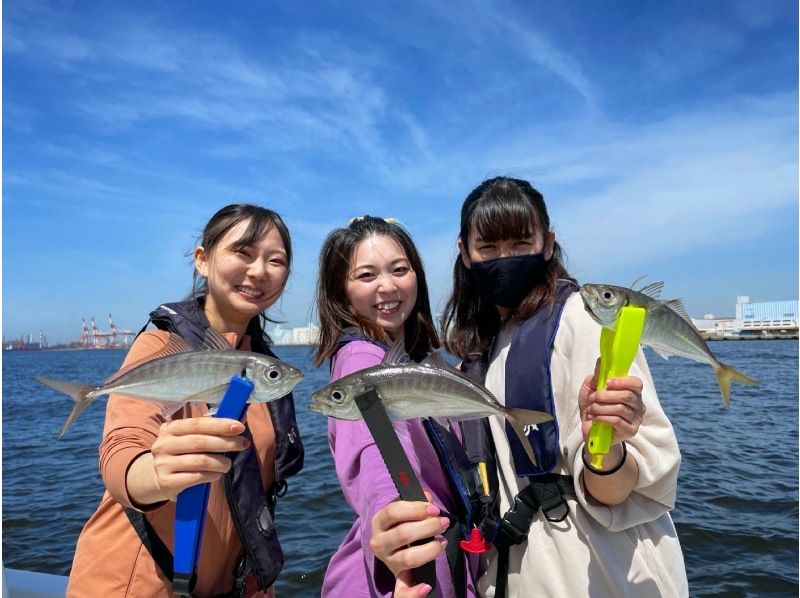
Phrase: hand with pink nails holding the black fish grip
pixel 394 528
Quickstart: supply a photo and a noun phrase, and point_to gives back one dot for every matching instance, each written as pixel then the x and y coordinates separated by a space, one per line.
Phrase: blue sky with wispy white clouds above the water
pixel 663 136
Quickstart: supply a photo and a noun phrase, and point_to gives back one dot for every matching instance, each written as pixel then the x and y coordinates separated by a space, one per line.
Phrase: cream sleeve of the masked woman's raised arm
pixel 654 447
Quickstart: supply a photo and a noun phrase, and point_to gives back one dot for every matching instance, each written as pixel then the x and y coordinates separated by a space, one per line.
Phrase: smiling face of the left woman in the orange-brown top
pixel 242 281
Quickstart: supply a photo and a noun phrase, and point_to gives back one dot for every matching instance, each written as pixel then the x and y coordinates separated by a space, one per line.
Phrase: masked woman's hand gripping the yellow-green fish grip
pixel 619 405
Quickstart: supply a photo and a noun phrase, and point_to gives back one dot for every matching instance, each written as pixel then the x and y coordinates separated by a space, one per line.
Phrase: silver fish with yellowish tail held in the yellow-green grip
pixel 668 329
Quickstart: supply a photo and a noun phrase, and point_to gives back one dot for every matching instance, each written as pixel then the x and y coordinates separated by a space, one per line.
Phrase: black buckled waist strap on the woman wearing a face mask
pixel 548 493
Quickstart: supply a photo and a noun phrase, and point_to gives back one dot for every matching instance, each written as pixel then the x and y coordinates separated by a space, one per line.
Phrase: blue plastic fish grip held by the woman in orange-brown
pixel 192 504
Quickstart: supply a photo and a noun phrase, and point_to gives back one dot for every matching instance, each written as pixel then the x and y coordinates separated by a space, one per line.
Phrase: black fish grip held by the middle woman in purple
pixel 396 460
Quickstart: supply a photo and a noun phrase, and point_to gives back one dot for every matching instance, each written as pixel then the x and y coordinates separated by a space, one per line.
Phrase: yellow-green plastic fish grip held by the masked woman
pixel 618 348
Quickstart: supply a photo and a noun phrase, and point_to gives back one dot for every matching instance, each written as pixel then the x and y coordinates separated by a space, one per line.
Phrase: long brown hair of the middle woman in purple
pixel 334 309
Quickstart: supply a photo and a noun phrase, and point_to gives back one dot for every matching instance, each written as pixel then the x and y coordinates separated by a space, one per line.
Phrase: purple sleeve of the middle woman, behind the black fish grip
pixel 365 481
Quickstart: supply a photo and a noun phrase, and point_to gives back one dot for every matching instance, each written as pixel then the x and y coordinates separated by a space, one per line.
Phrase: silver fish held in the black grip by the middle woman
pixel 432 388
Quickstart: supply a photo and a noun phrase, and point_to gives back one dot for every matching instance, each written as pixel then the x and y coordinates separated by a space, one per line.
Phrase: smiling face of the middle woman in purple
pixel 381 285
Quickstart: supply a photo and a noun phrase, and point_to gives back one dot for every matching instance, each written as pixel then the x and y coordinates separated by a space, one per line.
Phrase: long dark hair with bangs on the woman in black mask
pixel 497 209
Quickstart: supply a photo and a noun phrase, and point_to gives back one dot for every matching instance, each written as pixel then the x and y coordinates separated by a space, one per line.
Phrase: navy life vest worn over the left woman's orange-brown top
pixel 251 509
